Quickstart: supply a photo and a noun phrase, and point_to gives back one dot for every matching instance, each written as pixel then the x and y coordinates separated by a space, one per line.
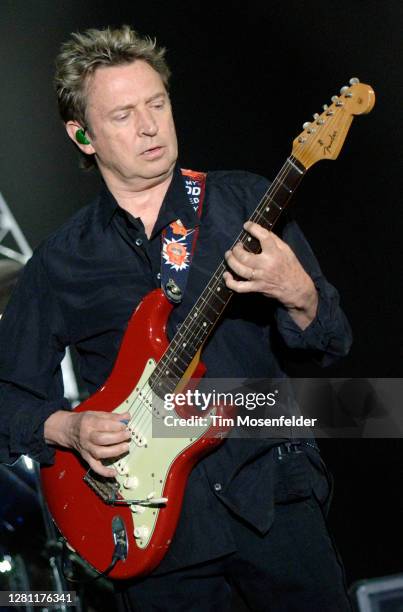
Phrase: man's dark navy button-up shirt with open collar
pixel 80 288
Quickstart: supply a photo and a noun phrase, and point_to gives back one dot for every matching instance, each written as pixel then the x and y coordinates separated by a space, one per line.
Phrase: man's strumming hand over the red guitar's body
pixel 95 435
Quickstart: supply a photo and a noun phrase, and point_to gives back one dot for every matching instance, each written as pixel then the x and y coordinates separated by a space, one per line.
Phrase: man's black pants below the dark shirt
pixel 294 568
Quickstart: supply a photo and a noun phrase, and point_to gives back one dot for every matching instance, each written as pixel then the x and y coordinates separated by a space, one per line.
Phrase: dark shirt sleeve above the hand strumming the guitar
pixel 32 346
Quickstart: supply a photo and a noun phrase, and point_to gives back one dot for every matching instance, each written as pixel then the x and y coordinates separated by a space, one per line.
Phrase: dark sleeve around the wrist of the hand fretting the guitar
pixel 329 334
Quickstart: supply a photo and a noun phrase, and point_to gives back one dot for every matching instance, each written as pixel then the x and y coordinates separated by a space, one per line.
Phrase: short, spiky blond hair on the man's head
pixel 80 56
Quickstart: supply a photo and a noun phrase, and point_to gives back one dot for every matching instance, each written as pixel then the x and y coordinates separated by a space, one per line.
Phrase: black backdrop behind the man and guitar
pixel 246 75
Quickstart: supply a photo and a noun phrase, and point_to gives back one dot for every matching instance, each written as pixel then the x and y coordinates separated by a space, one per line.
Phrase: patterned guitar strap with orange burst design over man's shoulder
pixel 178 243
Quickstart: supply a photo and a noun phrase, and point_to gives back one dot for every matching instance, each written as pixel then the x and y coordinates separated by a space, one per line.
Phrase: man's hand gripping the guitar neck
pixel 275 272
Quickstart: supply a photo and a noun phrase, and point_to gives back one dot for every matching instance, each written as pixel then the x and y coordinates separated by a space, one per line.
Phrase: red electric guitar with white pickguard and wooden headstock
pixel 125 524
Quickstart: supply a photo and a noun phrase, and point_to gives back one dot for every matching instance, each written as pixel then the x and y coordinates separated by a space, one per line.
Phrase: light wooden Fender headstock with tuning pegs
pixel 323 138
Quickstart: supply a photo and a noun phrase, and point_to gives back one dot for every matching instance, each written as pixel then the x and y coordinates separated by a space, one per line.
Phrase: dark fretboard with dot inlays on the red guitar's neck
pixel 212 302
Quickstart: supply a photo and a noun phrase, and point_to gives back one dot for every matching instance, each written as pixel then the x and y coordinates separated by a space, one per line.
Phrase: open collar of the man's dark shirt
pixel 175 205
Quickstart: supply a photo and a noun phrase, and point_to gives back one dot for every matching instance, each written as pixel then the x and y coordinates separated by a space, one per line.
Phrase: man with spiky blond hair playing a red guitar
pixel 252 515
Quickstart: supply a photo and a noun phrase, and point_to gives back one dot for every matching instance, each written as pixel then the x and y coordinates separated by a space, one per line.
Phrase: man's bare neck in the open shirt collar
pixel 143 199
